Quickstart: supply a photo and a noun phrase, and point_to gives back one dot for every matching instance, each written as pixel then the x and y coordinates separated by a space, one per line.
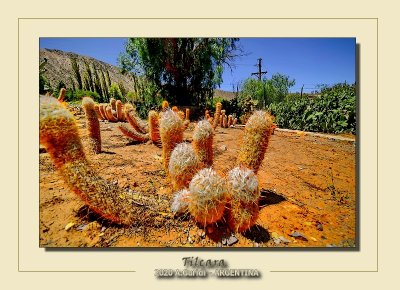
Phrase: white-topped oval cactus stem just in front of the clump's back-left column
pixel 182 166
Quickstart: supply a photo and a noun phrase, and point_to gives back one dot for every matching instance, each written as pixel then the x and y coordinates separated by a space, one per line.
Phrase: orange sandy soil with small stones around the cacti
pixel 307 185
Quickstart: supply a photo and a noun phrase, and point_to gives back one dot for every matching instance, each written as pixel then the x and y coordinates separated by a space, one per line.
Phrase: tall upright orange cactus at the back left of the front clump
pixel 171 133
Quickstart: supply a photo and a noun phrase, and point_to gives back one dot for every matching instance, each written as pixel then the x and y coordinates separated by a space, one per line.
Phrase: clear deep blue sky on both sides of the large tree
pixel 310 61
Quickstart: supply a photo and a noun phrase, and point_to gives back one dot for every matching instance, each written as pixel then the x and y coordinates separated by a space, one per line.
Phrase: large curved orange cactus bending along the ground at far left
pixel 59 135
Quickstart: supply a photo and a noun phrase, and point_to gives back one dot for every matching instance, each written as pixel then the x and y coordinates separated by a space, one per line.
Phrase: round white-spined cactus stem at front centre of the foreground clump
pixel 208 196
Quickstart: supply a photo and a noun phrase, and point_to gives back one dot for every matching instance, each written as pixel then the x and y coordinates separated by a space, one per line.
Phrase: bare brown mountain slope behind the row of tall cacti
pixel 59 68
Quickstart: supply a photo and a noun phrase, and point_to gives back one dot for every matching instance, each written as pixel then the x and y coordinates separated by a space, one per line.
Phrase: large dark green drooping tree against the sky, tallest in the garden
pixel 183 70
